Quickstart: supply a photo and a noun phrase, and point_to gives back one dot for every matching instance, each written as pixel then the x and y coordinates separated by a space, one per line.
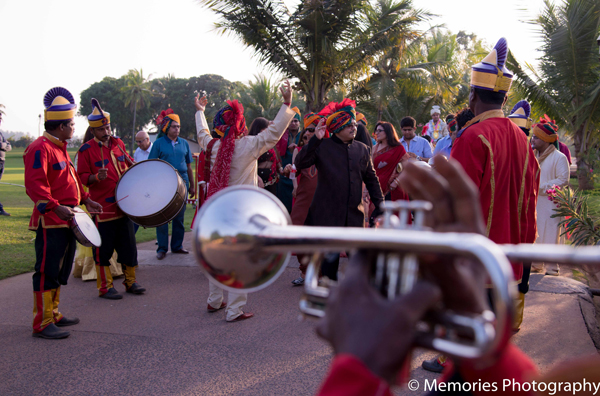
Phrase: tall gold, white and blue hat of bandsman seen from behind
pixel 491 74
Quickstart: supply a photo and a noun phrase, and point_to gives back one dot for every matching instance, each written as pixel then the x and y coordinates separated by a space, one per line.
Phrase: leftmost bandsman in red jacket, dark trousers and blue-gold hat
pixel 54 187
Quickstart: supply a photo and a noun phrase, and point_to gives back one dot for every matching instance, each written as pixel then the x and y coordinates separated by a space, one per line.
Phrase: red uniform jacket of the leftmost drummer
pixel 50 181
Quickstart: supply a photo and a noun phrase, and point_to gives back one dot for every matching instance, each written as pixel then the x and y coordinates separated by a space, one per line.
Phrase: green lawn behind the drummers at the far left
pixel 17 254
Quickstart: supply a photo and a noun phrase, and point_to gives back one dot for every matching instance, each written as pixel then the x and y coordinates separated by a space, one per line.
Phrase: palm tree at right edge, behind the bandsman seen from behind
pixel 567 85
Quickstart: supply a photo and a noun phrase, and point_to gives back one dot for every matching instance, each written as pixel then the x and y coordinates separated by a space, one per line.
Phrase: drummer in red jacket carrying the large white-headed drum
pixel 101 163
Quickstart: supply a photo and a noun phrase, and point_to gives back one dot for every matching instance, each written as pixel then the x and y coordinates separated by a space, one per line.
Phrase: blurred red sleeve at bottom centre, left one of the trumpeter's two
pixel 348 376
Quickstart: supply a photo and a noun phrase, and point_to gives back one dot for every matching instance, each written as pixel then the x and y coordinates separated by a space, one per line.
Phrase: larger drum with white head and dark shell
pixel 151 193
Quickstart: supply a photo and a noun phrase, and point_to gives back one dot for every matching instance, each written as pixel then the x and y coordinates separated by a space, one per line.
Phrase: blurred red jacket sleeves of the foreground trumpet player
pixel 348 376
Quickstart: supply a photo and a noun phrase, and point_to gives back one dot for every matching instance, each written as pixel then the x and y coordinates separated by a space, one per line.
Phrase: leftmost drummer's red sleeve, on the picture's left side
pixel 37 185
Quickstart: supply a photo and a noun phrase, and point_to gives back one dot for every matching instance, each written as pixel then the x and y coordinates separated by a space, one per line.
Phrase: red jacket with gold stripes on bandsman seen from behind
pixel 496 155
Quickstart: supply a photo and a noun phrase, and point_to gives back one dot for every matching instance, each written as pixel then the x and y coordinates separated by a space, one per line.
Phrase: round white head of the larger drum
pixel 149 187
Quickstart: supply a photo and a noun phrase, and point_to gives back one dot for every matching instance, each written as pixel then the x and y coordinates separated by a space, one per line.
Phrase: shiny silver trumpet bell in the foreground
pixel 226 243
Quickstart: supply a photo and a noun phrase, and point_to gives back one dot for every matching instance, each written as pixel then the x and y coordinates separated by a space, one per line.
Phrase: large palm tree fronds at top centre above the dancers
pixel 322 43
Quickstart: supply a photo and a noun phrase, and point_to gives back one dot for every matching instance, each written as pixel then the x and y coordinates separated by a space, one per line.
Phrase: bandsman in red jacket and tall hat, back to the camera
pixel 496 155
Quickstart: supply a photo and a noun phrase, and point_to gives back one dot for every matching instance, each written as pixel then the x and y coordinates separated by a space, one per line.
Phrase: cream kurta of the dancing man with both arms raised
pixel 244 168
